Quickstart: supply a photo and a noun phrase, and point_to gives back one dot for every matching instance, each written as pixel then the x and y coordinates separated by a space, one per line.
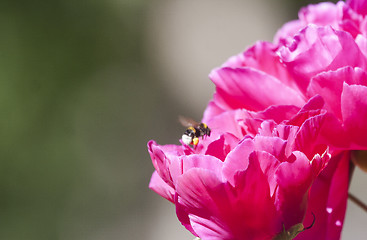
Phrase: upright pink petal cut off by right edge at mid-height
pixel 354 111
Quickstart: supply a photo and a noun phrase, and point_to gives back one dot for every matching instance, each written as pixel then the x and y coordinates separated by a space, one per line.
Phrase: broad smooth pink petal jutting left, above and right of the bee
pixel 250 89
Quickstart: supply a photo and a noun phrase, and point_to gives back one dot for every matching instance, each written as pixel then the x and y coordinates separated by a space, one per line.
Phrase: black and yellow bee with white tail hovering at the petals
pixel 194 131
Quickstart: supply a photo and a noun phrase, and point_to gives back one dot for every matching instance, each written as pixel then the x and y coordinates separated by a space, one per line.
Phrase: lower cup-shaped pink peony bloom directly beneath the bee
pixel 247 180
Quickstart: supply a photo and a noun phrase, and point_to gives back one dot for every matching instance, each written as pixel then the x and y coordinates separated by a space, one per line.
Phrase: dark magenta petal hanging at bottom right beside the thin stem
pixel 328 200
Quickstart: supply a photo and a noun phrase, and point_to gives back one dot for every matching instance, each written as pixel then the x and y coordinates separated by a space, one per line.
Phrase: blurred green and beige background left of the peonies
pixel 81 93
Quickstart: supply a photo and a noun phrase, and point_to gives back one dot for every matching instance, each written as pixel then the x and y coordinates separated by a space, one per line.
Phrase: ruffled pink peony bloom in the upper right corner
pixel 329 59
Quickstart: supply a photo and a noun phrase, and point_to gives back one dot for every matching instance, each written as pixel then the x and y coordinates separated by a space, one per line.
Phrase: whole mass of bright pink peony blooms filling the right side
pixel 275 109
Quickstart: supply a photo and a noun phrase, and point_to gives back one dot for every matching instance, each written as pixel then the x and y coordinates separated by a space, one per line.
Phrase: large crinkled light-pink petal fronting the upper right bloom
pixel 318 49
